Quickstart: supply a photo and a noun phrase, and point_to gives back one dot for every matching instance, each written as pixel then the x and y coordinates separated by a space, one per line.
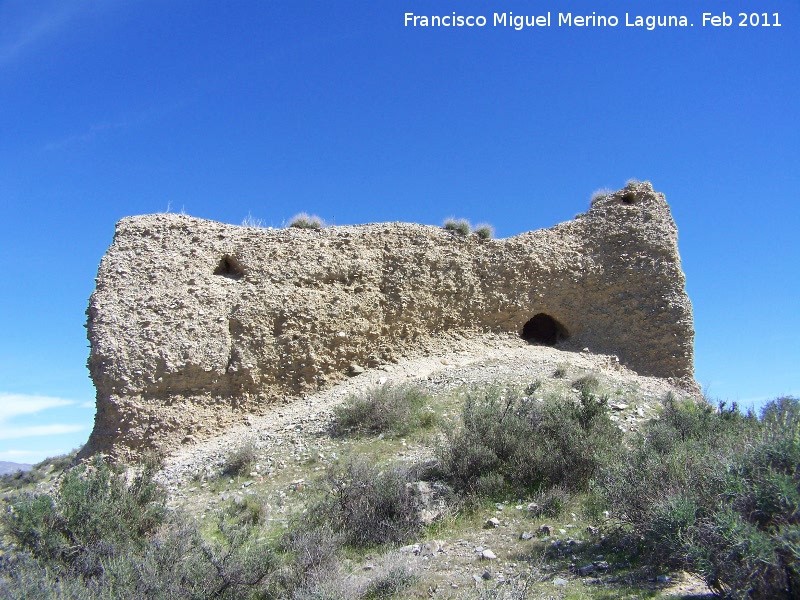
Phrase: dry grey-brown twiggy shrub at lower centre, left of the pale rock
pixel 367 504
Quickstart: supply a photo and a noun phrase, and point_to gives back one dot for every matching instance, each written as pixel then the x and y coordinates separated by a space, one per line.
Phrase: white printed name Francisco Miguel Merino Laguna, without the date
pixel 520 22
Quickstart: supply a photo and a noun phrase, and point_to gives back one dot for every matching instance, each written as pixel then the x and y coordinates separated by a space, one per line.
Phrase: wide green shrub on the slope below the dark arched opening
pixel 507 440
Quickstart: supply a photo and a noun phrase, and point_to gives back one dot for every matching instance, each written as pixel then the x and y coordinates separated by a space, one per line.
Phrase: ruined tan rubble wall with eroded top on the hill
pixel 194 322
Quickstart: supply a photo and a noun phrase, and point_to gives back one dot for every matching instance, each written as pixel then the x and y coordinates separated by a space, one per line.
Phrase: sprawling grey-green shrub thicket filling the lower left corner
pixel 107 535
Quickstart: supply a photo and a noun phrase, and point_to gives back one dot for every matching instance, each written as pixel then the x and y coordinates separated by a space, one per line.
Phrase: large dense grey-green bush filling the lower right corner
pixel 715 492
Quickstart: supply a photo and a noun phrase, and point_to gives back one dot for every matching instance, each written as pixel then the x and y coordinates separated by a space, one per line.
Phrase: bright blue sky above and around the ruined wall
pixel 269 108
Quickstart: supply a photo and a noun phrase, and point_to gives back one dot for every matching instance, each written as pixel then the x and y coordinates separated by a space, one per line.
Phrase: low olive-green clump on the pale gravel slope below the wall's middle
pixel 386 409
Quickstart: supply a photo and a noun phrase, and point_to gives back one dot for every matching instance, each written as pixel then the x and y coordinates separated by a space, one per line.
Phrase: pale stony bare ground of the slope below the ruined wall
pixel 276 464
